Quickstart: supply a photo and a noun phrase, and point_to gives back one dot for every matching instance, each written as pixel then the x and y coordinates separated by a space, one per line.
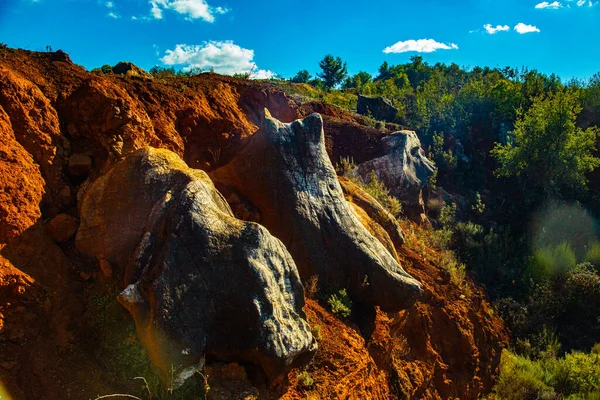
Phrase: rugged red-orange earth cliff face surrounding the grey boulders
pixel 62 127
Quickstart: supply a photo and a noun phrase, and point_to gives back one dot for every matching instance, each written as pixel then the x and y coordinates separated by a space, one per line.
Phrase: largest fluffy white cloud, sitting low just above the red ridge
pixel 225 57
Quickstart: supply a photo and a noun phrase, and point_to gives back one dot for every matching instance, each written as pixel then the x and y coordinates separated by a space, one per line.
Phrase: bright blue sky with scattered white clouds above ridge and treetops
pixel 288 35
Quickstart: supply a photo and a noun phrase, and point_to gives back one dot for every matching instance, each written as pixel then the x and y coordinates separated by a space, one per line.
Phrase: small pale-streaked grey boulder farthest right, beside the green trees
pixel 404 169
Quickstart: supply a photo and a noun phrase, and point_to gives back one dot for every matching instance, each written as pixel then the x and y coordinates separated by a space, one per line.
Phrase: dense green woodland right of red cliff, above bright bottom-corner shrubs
pixel 517 151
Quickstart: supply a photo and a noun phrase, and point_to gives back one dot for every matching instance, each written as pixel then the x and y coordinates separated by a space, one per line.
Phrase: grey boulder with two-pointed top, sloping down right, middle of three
pixel 284 171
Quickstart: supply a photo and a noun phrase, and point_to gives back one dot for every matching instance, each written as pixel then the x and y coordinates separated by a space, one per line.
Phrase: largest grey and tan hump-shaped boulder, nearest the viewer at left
pixel 200 283
